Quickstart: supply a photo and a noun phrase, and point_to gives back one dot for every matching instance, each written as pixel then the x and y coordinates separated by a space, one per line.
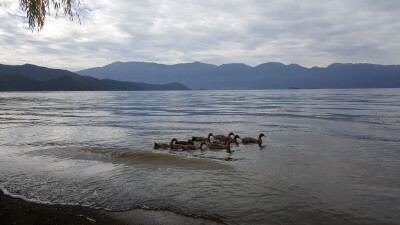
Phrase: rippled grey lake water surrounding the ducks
pixel 329 156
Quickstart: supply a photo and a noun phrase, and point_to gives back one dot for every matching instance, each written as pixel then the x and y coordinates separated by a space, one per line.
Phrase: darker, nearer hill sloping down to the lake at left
pixel 35 78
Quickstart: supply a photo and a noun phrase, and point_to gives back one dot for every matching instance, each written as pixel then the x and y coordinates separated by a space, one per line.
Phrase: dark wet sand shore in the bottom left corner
pixel 15 211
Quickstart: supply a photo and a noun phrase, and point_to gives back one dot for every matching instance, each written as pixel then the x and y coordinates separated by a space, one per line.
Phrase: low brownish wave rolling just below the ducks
pixel 129 156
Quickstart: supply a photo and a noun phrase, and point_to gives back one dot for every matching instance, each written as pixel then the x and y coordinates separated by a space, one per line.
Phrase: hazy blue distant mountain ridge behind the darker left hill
pixel 265 76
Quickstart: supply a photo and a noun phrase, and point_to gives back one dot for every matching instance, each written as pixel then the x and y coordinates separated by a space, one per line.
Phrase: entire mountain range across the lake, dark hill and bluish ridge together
pixel 130 76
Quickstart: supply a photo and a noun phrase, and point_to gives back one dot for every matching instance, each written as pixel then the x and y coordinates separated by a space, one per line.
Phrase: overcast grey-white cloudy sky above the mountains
pixel 306 32
